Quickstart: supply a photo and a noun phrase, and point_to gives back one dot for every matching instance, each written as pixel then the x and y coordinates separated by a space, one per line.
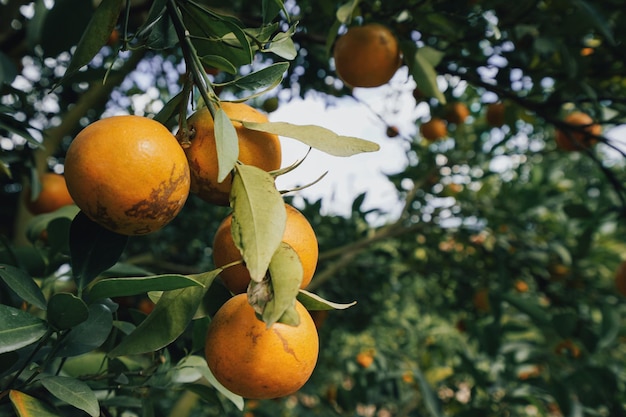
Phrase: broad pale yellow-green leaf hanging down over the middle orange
pixel 259 218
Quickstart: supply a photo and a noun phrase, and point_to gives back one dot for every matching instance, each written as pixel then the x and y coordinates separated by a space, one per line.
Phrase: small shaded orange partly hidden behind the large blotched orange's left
pixel 53 195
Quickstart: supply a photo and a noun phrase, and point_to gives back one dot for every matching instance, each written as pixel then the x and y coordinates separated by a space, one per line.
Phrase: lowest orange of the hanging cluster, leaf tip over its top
pixel 257 362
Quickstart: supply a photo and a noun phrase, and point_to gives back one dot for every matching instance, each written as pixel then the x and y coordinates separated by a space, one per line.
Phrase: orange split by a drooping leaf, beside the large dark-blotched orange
pixel 256 148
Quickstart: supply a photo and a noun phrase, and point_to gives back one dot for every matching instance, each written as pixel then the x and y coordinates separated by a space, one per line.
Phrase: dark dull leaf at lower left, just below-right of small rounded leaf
pixel 90 334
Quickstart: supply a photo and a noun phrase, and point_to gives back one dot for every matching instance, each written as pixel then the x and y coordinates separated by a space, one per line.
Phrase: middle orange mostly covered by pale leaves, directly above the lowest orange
pixel 298 234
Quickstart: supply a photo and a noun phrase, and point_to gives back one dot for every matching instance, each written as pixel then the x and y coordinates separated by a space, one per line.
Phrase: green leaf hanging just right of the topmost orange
pixel 422 68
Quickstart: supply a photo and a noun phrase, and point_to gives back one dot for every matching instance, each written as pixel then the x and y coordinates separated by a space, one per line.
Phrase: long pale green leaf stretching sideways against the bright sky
pixel 317 137
